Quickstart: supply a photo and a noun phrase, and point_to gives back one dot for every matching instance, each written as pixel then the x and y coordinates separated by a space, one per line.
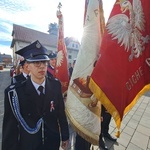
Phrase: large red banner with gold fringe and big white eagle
pixel 122 73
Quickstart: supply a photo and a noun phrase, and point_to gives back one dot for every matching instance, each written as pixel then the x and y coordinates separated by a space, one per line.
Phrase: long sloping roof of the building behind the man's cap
pixel 27 35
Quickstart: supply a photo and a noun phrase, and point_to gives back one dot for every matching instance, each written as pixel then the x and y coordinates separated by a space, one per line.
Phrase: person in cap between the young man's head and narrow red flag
pixel 52 64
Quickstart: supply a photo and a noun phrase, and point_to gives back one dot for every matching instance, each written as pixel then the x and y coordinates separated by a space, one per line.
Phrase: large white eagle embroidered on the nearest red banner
pixel 128 30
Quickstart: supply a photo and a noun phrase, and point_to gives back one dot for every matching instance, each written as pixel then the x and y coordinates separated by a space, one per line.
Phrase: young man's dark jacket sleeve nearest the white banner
pixel 62 118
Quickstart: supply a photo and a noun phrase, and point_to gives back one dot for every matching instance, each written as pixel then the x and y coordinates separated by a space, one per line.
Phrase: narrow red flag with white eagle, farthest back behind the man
pixel 61 70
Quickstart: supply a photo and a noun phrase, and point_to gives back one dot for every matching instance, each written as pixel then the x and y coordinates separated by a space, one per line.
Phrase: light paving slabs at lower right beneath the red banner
pixel 135 128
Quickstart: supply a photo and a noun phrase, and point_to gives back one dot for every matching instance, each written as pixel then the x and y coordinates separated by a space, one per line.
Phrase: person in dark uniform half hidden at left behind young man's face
pixel 24 74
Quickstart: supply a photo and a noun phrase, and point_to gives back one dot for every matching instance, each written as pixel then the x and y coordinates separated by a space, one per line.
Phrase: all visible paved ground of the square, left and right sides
pixel 135 129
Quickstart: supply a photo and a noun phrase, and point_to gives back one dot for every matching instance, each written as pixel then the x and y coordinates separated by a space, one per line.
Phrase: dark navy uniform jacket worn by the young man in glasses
pixel 14 137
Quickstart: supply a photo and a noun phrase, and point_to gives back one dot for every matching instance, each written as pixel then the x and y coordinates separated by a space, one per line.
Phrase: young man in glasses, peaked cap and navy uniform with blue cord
pixel 34 112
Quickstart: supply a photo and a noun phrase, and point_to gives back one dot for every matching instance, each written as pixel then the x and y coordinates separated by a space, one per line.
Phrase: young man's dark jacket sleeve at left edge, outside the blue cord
pixel 10 127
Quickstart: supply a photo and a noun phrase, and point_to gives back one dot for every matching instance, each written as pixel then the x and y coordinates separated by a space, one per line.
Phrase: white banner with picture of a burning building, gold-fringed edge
pixel 85 117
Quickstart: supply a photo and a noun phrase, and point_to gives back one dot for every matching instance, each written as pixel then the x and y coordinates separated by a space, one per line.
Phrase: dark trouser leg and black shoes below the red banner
pixel 106 118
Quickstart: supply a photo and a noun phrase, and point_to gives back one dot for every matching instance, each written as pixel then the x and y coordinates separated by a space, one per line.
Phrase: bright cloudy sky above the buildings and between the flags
pixel 39 14
